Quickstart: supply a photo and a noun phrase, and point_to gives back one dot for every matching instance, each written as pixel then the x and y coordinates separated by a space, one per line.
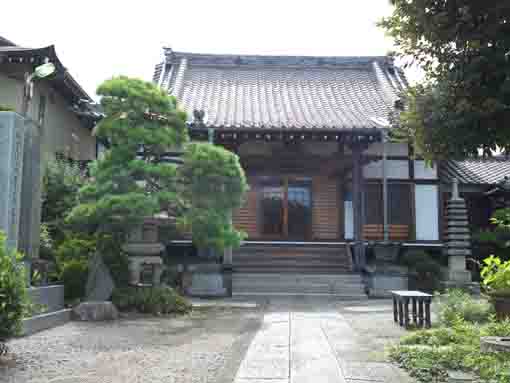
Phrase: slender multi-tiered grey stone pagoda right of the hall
pixel 458 242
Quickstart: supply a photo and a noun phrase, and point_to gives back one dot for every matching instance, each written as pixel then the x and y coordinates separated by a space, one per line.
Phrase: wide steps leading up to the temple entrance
pixel 294 271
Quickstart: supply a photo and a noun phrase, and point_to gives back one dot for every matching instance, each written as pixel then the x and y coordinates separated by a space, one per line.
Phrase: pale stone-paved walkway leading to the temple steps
pixel 302 342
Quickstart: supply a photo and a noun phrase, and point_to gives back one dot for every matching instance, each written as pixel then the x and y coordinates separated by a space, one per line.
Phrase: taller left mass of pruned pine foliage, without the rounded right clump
pixel 132 181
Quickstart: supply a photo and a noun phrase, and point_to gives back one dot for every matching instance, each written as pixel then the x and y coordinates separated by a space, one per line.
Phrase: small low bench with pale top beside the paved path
pixel 420 306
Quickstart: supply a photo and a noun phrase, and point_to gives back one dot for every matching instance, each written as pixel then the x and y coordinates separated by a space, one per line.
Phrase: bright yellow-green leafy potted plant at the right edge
pixel 496 279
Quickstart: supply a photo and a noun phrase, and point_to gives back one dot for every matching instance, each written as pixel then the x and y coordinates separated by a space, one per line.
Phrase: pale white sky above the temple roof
pixel 98 39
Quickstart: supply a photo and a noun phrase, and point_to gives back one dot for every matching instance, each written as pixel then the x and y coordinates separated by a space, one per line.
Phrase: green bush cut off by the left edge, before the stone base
pixel 13 292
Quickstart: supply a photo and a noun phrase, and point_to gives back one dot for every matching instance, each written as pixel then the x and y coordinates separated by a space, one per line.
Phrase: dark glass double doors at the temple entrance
pixel 286 207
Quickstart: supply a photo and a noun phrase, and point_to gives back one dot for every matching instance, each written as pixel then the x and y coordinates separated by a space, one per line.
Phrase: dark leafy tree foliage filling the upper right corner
pixel 463 47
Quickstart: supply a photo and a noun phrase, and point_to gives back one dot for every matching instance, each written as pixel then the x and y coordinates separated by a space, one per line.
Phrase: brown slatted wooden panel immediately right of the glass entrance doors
pixel 325 209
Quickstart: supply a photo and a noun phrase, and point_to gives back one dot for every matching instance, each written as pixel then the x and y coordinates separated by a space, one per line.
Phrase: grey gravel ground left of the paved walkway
pixel 206 346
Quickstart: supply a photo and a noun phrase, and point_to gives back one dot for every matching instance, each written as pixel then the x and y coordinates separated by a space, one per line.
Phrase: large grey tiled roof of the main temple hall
pixel 282 92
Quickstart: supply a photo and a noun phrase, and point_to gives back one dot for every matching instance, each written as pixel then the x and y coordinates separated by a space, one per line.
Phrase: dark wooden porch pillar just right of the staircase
pixel 357 202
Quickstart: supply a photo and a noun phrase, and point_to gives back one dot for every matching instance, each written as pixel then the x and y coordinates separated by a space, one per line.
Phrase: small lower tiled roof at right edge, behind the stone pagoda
pixel 476 171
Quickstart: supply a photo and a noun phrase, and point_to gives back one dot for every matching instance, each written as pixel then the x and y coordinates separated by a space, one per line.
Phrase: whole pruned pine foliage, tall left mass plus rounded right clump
pixel 135 179
